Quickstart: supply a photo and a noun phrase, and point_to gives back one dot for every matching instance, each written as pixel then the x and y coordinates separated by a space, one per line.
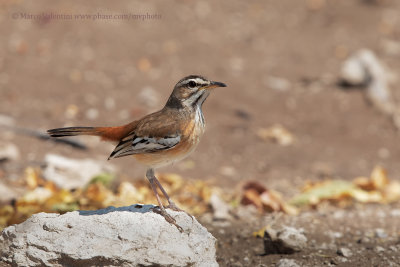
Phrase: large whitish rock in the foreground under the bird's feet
pixel 126 236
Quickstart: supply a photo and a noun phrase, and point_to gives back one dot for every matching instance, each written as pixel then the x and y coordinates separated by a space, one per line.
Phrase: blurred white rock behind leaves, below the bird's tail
pixel 71 173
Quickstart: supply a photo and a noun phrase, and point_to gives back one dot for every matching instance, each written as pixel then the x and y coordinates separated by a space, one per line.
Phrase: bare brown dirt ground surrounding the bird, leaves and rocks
pixel 62 72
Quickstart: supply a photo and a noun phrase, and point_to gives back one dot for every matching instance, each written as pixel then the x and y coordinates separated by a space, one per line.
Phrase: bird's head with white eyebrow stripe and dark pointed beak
pixel 191 91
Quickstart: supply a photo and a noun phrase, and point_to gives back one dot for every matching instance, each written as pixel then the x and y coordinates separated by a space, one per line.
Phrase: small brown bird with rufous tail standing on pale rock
pixel 160 138
